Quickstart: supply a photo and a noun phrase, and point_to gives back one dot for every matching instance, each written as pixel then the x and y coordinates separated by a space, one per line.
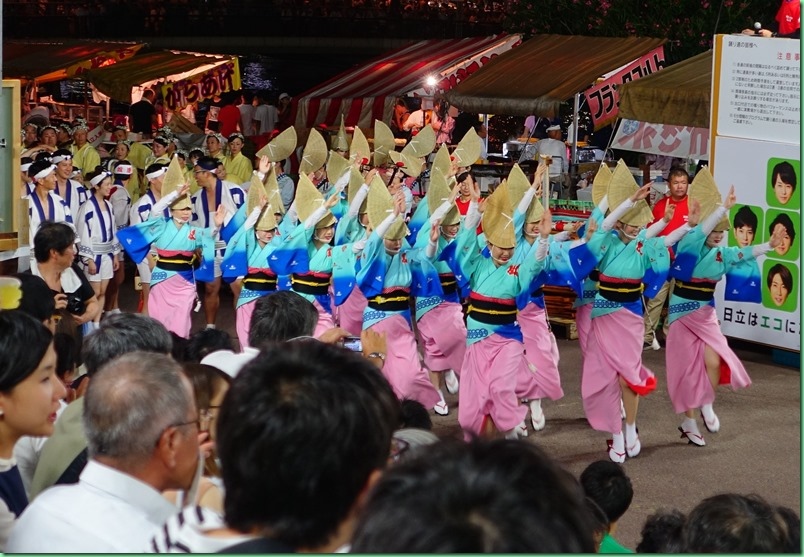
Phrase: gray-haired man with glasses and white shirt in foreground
pixel 142 431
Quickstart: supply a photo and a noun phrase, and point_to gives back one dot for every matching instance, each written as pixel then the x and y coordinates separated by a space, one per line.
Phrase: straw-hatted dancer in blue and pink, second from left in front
pixel 248 255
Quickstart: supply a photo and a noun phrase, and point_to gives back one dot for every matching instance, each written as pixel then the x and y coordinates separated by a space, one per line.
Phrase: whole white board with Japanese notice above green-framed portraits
pixel 756 119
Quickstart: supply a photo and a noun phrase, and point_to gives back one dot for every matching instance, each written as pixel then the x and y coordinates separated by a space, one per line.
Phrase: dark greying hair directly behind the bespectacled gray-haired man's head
pixel 122 333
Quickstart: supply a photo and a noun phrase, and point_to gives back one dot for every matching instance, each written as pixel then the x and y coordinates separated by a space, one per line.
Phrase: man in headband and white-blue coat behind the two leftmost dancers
pixel 213 195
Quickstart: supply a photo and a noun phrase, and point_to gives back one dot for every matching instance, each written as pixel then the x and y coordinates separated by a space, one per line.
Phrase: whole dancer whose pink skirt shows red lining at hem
pixel 626 259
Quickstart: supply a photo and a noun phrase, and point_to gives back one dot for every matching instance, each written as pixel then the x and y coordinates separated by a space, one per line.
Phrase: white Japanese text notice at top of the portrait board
pixel 757 81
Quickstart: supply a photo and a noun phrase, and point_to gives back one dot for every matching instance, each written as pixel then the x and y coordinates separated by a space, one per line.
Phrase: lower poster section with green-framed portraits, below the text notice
pixel 767 180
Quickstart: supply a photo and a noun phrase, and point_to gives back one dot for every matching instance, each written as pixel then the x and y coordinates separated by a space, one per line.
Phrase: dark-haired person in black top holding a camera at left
pixel 54 250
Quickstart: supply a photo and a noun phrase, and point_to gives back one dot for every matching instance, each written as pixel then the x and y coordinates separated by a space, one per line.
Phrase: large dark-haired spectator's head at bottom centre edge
pixel 486 496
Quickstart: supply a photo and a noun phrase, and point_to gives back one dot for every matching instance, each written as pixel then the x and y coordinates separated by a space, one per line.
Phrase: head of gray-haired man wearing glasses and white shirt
pixel 140 418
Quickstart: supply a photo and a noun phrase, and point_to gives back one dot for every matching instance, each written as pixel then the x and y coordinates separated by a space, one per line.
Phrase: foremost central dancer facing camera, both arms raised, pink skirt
pixel 495 355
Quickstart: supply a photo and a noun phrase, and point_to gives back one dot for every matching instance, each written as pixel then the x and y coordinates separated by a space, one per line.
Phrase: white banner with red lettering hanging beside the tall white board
pixel 660 139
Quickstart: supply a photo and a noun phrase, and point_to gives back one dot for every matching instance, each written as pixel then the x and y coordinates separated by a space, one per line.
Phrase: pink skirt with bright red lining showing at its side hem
pixel 614 350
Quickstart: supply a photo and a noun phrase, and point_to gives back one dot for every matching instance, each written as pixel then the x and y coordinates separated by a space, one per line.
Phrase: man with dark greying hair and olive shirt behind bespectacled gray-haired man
pixel 64 454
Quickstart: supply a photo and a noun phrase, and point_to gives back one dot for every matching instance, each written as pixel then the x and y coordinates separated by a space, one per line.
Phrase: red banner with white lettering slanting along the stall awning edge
pixel 603 98
